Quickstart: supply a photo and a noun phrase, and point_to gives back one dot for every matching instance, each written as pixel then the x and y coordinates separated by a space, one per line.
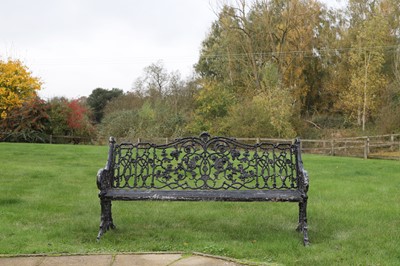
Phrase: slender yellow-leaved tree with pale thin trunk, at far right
pixel 367 58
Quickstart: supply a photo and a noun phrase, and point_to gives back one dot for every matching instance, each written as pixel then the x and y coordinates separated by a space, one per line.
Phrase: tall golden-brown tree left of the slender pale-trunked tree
pixel 295 36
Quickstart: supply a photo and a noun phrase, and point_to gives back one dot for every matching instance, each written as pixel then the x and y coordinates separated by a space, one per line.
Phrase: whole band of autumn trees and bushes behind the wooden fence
pixel 273 68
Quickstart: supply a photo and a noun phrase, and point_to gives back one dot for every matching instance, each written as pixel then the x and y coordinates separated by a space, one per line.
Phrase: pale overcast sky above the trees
pixel 76 46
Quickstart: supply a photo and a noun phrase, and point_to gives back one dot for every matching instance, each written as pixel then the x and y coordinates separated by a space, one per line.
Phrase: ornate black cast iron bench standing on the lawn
pixel 203 168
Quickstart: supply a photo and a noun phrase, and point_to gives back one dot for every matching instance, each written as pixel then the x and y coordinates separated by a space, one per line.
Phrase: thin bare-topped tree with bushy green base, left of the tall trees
pixel 166 101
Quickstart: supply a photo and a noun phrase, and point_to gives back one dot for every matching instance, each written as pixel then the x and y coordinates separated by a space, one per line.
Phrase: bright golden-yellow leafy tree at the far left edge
pixel 17 85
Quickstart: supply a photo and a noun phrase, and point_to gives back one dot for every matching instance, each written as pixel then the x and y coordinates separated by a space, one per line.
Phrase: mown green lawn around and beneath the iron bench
pixel 49 204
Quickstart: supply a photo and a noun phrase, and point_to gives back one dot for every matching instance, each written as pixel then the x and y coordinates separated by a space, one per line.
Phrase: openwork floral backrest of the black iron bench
pixel 205 163
